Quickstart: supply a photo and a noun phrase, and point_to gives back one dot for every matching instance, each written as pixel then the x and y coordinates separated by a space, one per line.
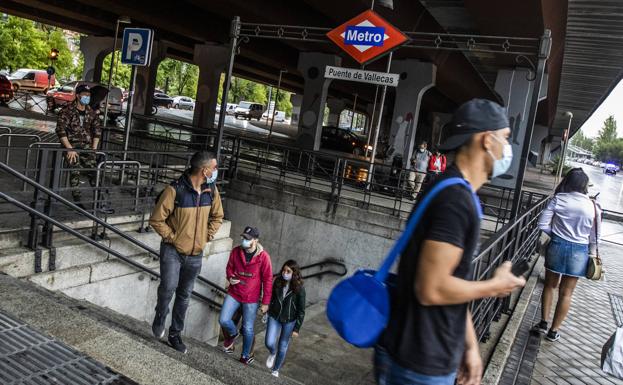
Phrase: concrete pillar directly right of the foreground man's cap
pixel 515 87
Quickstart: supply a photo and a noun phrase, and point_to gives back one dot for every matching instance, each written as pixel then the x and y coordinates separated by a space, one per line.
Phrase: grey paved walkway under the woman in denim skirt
pixel 594 315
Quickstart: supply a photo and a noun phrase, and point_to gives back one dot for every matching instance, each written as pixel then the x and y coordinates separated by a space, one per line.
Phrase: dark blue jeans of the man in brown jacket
pixel 177 275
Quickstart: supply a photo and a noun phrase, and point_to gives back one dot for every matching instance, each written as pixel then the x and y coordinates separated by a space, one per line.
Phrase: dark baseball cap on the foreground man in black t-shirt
pixel 472 117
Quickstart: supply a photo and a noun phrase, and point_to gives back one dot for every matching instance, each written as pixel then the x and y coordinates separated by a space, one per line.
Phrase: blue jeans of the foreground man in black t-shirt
pixel 388 372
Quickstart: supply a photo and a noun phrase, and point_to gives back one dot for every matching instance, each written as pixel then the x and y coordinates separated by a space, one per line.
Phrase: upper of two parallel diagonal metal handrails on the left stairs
pixel 87 214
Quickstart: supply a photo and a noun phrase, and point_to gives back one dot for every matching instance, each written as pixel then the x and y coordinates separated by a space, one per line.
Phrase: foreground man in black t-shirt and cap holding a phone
pixel 430 338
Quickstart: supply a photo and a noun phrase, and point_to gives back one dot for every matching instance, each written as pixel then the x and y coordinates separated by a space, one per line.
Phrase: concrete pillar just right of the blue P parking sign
pixel 146 80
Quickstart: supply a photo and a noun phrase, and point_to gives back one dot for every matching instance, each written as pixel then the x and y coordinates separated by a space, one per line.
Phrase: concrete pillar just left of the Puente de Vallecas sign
pixel 312 65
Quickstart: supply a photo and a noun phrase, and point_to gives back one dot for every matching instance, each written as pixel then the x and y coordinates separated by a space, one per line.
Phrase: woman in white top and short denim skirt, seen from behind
pixel 572 221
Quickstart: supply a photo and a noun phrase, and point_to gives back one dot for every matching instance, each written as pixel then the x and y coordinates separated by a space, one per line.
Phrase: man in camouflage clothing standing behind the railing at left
pixel 79 128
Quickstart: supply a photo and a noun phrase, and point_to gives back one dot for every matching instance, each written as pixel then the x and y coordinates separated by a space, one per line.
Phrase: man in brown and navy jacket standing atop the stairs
pixel 187 215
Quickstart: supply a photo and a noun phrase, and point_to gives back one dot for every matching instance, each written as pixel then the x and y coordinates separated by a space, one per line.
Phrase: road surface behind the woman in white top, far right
pixel 609 187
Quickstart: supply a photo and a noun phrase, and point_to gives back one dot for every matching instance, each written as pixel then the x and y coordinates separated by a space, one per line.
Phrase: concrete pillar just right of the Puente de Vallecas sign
pixel 416 78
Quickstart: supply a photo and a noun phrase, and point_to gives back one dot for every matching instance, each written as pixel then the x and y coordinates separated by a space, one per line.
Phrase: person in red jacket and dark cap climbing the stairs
pixel 250 275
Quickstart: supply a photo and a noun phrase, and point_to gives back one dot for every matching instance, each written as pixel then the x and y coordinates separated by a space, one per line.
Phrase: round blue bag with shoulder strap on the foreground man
pixel 358 307
